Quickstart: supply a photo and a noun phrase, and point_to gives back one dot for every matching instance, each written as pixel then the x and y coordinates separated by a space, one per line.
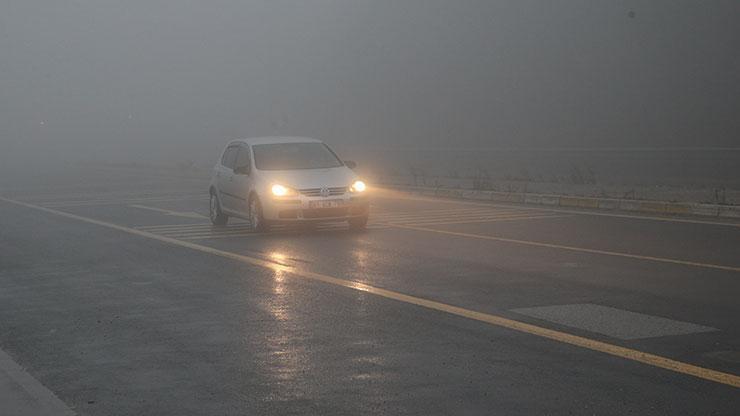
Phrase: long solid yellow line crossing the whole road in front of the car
pixel 579 341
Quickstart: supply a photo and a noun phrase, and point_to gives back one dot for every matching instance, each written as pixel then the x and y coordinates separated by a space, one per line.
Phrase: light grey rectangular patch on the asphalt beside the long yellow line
pixel 616 323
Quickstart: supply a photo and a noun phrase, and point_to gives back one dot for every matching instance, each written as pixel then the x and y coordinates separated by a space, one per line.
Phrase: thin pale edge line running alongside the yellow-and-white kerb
pixel 567 211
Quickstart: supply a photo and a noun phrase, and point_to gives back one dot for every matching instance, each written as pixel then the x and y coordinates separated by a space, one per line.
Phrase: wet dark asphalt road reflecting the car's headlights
pixel 119 297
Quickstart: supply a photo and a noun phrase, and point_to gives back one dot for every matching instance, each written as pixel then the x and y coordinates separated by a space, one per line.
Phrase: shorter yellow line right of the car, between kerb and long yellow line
pixel 570 248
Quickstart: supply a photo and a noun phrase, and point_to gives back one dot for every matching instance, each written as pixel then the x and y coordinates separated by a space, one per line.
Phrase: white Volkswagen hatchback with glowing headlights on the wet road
pixel 273 180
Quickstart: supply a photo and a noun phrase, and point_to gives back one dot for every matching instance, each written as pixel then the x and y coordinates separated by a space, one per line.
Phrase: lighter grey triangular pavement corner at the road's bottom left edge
pixel 22 394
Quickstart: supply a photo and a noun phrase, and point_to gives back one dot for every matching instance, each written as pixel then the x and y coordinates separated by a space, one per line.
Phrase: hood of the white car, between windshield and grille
pixel 311 178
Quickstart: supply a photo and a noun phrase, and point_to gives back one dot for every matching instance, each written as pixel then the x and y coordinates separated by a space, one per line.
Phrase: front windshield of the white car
pixel 288 156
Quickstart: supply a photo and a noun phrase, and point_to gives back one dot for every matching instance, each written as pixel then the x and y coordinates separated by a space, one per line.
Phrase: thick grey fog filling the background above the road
pixel 508 86
